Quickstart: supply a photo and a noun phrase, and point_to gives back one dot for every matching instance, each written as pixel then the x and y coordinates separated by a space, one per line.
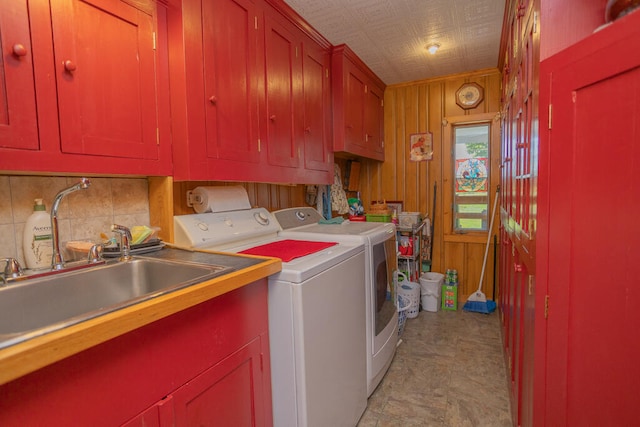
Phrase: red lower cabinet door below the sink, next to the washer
pixel 228 394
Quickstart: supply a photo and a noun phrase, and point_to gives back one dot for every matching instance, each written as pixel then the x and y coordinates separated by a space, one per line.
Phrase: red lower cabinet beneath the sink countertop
pixel 208 365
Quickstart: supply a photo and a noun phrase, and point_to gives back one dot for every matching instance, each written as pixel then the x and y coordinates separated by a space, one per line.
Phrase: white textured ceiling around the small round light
pixel 391 36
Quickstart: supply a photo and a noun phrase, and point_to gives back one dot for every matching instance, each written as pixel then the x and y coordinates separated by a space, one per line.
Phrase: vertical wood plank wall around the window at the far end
pixel 422 106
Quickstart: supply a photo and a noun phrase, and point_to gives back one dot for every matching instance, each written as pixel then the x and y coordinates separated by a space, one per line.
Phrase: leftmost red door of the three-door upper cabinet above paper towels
pixel 230 79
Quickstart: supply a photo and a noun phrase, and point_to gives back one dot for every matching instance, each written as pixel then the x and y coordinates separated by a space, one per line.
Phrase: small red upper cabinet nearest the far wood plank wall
pixel 358 111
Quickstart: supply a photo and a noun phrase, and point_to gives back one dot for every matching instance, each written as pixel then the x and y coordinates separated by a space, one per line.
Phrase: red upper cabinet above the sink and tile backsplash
pixel 90 82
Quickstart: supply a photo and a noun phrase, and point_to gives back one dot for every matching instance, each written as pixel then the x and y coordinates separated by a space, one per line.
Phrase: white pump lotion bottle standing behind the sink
pixel 37 243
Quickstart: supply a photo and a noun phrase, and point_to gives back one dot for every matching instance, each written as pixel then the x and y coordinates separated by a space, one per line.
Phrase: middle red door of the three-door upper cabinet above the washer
pixel 283 83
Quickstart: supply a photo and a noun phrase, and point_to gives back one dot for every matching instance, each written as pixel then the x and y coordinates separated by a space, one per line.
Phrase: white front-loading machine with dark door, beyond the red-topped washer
pixel 379 241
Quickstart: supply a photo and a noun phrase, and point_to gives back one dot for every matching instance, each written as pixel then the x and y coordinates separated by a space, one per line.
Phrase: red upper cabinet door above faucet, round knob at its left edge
pixel 106 77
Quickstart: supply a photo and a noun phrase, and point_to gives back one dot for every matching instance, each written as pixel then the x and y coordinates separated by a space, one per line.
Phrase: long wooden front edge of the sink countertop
pixel 31 355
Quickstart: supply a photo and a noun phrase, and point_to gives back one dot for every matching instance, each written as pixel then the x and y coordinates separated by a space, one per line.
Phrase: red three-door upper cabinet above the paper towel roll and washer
pixel 238 97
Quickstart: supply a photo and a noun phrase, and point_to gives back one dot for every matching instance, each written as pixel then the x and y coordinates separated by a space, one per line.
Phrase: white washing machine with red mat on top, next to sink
pixel 316 315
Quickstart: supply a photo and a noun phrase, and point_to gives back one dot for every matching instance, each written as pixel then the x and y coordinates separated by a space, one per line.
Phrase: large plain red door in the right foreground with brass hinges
pixel 591 234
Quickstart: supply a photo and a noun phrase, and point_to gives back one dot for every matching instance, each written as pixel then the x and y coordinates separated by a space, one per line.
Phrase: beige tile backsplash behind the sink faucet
pixel 82 215
